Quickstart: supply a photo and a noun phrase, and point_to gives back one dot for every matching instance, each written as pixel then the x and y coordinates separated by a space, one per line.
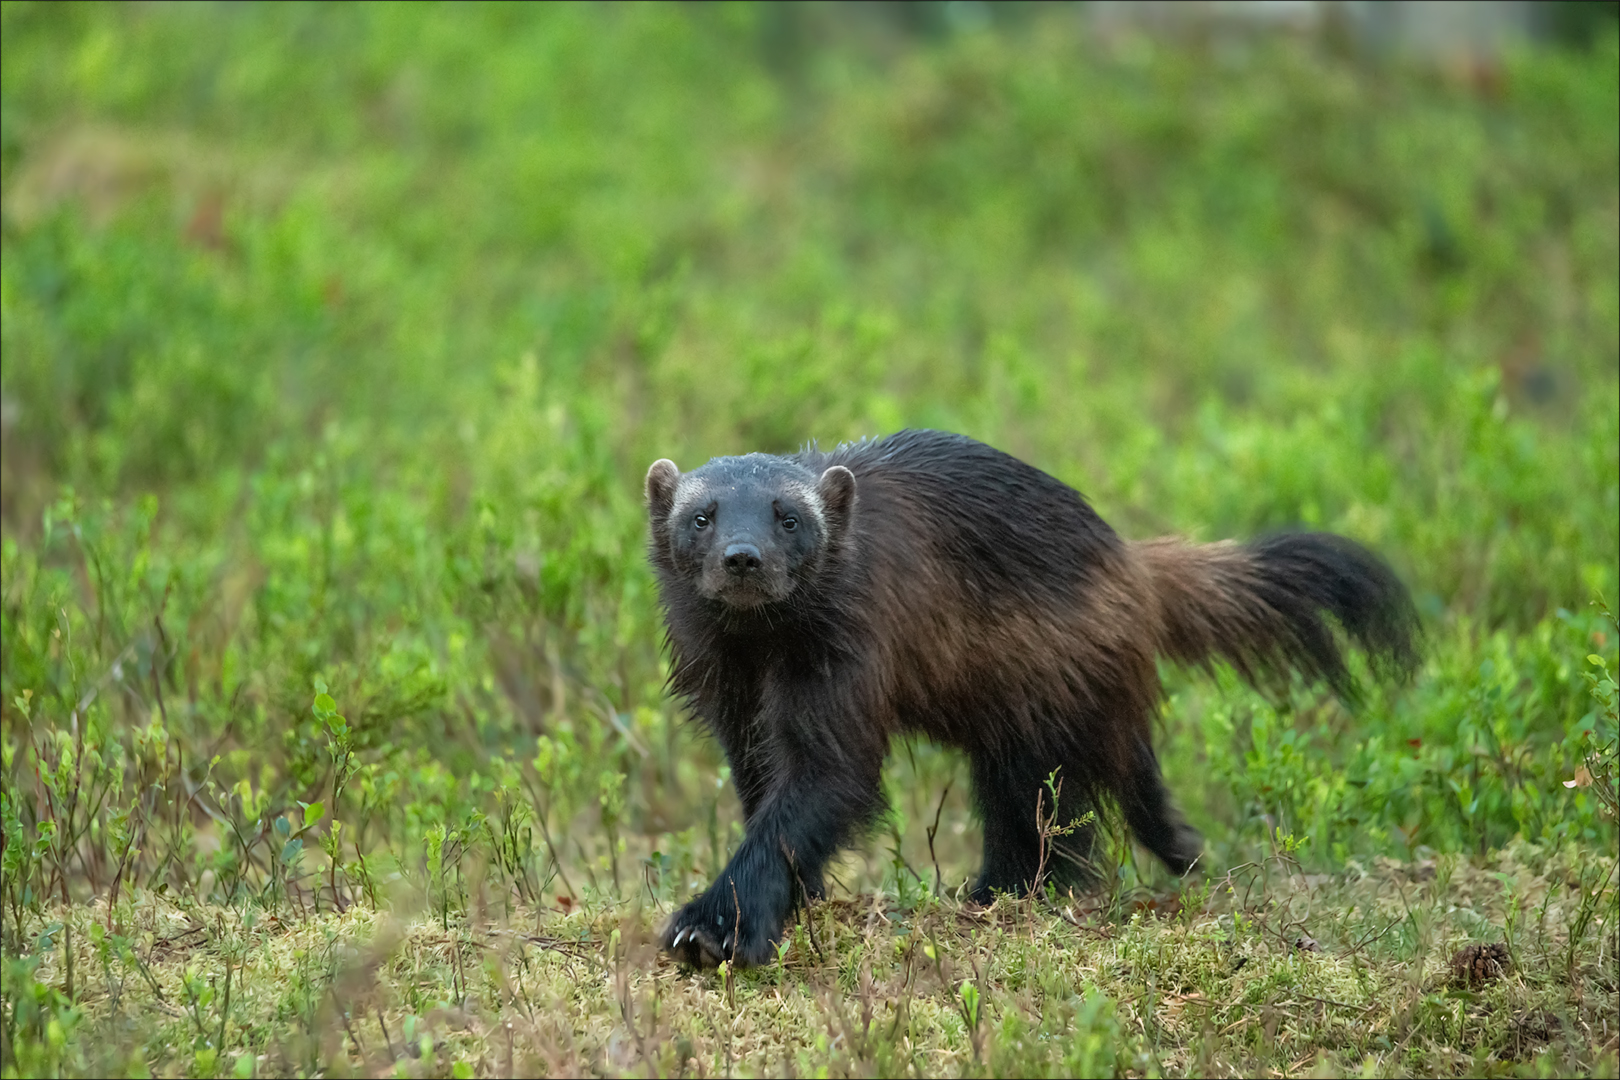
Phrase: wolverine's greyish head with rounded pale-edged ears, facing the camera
pixel 749 530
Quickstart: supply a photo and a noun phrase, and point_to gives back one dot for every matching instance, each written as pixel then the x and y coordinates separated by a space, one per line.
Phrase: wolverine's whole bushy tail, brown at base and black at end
pixel 1264 608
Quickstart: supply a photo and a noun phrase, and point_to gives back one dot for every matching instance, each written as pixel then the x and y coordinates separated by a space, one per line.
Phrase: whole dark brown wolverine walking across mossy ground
pixel 819 605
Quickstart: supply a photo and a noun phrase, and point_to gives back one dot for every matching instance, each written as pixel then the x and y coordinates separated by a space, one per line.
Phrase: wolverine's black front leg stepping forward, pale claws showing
pixel 824 788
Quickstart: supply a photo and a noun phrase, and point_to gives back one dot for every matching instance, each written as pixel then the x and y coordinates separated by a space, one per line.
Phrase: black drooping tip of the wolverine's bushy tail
pixel 1308 574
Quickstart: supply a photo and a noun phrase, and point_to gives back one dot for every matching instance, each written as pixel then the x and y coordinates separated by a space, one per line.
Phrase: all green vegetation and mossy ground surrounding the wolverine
pixel 336 344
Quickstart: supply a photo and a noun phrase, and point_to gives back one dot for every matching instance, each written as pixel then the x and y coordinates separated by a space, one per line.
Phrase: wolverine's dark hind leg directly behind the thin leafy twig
pixel 1010 789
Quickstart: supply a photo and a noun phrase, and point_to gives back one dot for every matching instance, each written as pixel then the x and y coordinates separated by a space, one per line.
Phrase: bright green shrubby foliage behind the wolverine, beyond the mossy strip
pixel 338 341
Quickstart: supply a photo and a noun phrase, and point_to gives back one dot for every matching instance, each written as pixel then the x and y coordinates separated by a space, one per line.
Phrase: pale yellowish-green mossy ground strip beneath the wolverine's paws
pixel 1328 977
